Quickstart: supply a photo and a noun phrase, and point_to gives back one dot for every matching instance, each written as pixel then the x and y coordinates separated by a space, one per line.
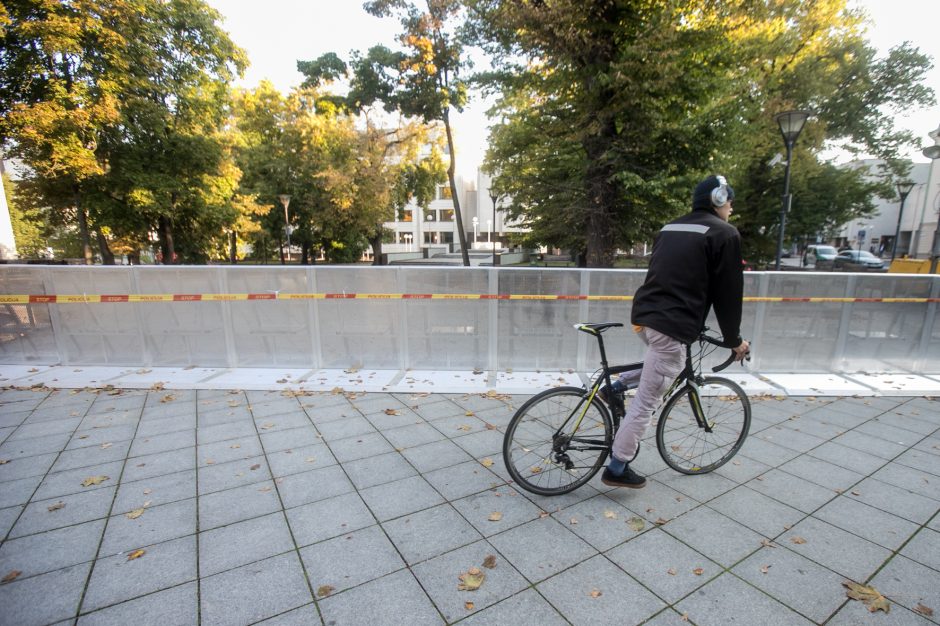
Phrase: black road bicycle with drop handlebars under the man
pixel 560 438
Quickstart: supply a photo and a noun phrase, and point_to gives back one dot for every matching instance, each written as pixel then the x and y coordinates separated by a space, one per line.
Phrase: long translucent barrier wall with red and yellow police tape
pixel 851 332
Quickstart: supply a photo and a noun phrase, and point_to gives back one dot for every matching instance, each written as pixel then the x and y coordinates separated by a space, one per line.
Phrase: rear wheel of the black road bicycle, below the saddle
pixel 542 450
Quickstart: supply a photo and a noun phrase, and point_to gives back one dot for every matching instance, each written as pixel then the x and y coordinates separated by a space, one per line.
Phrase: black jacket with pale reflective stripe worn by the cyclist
pixel 696 264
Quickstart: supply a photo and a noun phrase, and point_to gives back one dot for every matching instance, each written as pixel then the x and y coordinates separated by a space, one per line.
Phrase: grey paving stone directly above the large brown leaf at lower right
pixel 840 551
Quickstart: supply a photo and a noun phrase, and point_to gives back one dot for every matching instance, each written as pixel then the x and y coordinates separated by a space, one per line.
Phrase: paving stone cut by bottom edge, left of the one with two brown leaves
pixel 372 603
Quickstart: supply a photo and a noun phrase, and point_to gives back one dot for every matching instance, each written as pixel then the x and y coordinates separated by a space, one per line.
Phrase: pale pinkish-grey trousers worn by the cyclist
pixel 663 361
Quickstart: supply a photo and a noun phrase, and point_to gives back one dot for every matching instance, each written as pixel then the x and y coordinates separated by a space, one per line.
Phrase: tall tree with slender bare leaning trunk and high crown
pixel 424 80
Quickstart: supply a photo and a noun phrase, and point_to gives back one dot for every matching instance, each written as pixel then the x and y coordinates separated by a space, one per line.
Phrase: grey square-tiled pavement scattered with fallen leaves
pixel 339 508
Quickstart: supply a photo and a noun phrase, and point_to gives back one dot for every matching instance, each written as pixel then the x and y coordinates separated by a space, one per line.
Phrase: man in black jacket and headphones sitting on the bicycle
pixel 696 264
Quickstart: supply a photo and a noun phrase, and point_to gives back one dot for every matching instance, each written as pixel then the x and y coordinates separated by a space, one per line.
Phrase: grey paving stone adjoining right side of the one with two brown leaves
pixel 526 547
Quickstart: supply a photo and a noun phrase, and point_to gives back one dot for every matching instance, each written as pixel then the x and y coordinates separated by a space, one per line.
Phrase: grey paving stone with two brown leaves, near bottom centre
pixel 439 577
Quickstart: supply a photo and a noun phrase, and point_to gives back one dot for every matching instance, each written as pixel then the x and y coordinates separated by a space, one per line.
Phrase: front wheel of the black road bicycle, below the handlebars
pixel 693 448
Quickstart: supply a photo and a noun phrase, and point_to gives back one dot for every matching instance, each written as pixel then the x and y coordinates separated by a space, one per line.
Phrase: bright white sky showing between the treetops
pixel 278 33
